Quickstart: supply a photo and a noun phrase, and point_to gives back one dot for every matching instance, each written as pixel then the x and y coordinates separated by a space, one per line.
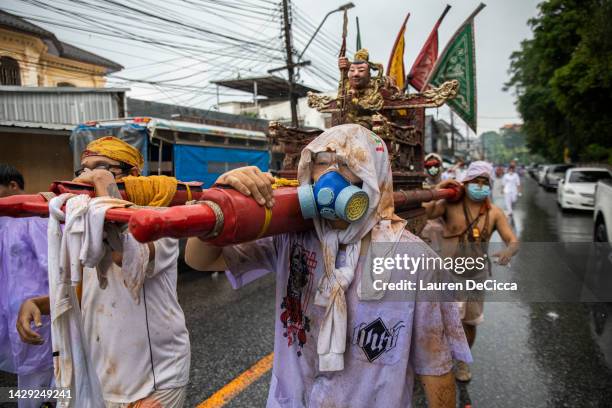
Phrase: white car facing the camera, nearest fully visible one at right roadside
pixel 577 189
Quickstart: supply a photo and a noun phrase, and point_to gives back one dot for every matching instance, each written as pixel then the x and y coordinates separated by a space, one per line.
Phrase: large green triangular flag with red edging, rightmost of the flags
pixel 458 61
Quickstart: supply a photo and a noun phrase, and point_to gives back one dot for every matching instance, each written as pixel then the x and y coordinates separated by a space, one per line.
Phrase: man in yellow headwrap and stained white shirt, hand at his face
pixel 136 361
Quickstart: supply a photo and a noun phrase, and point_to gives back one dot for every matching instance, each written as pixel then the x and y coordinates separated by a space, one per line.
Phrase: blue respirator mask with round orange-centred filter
pixel 333 197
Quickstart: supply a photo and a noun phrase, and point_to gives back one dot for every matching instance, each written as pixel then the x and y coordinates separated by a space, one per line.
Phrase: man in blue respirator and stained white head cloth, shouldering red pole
pixel 338 340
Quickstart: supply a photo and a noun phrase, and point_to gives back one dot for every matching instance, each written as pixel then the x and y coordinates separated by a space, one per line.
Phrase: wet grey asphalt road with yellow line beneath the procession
pixel 526 354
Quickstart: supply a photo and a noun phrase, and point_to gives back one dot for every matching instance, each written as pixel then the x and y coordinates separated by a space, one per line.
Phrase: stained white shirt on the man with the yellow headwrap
pixel 137 346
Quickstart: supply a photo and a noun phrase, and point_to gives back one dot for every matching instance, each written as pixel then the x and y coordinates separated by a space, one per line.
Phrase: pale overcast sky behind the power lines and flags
pixel 500 28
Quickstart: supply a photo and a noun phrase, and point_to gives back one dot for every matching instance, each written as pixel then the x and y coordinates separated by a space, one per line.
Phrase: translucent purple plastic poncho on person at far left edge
pixel 23 275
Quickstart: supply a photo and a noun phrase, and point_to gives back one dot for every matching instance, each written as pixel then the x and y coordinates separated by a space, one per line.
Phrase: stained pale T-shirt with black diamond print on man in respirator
pixel 388 342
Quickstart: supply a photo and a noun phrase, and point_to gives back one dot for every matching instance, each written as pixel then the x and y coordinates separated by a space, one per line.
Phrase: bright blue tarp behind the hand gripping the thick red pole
pixel 205 164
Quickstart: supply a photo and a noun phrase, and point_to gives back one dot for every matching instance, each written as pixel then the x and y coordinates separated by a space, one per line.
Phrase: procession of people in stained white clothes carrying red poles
pixel 117 333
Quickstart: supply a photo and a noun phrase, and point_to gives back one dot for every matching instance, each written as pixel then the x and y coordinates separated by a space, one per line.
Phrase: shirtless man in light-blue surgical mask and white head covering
pixel 473 220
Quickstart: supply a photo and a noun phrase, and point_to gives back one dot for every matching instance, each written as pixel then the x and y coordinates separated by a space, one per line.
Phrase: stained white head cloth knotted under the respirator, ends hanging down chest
pixel 367 157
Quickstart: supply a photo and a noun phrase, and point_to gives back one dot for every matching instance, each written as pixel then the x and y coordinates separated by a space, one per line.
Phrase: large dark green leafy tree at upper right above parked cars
pixel 562 79
